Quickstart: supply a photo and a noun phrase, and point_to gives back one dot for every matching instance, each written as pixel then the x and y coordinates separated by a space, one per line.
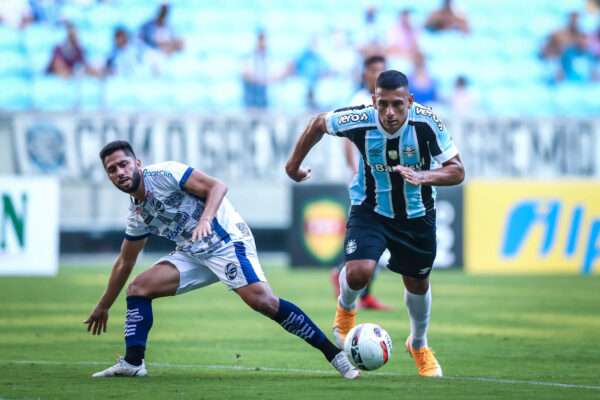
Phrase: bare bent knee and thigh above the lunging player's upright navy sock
pixel 162 279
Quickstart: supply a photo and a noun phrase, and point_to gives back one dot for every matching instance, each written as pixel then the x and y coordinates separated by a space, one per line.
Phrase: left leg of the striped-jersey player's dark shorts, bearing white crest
pixel 365 238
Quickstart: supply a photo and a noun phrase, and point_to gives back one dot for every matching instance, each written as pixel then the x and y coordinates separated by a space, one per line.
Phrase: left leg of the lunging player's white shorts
pixel 192 271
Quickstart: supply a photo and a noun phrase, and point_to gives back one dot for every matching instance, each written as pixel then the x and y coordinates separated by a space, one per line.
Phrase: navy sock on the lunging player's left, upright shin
pixel 137 325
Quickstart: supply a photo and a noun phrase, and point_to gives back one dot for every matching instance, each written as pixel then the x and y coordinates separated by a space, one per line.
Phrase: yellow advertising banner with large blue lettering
pixel 532 227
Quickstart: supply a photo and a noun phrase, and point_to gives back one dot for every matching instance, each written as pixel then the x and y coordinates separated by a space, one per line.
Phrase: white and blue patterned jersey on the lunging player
pixel 169 211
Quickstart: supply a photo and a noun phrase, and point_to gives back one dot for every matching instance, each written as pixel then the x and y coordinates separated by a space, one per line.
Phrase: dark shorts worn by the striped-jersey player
pixel 411 242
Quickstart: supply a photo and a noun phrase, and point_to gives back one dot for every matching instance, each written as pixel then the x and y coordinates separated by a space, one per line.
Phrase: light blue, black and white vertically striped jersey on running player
pixel 419 144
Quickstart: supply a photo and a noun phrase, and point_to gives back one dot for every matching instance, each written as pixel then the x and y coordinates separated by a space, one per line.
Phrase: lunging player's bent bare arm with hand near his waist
pixel 204 185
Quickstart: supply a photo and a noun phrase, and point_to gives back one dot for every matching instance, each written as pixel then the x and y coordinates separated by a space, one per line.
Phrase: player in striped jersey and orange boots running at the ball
pixel 405 152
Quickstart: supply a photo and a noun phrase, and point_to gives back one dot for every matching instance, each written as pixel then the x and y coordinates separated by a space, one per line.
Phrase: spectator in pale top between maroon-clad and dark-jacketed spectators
pixel 131 58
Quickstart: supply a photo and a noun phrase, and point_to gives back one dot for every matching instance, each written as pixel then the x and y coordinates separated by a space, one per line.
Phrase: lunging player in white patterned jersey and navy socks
pixel 214 244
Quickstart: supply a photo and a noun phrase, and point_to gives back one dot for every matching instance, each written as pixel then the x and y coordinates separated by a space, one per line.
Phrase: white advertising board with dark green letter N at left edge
pixel 28 225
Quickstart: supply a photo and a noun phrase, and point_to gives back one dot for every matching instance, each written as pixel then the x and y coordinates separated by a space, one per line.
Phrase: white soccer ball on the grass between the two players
pixel 368 346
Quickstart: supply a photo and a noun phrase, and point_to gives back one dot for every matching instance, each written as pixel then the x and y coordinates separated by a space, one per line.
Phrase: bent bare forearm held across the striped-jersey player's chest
pixel 451 173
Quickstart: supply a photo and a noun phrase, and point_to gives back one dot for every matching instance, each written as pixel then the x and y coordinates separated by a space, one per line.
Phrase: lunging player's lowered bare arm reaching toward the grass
pixel 121 270
